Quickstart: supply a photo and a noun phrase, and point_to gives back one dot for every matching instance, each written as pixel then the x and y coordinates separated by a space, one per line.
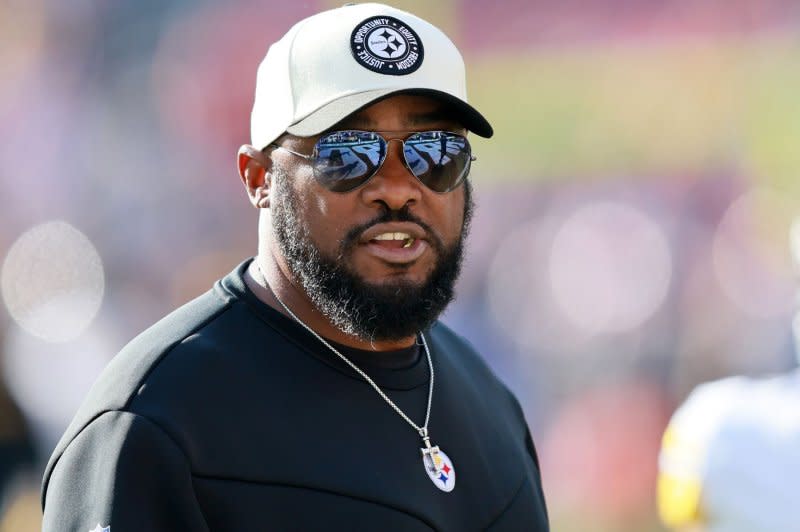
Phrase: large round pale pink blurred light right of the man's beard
pixel 610 267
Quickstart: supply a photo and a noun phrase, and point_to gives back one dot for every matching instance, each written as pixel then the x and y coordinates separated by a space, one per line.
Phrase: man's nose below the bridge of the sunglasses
pixel 394 184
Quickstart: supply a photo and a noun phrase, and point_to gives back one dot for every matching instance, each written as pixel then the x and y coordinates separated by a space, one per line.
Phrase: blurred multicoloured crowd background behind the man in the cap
pixel 631 238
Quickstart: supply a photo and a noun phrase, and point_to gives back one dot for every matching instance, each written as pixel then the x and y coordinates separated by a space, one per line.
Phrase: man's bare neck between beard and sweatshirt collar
pixel 269 280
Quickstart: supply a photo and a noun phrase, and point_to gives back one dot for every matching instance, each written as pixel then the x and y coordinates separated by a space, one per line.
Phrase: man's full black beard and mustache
pixel 388 311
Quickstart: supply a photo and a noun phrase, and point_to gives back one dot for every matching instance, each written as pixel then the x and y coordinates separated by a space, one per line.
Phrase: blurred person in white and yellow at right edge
pixel 730 459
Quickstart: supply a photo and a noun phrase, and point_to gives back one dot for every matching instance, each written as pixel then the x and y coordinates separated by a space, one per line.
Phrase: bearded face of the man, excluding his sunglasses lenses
pixel 337 246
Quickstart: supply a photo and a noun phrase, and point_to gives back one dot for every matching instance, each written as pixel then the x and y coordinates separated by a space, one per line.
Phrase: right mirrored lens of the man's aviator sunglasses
pixel 439 159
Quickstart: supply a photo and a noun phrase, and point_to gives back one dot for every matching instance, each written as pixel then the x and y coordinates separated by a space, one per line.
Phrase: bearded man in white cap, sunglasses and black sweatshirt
pixel 312 388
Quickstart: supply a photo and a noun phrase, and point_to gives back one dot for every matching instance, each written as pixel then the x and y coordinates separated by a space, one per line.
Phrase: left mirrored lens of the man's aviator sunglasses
pixel 346 159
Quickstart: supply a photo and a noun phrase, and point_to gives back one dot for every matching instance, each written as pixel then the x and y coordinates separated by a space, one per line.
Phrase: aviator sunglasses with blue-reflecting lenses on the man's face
pixel 345 160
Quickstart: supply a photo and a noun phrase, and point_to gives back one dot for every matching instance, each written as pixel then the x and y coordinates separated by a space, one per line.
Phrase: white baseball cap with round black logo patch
pixel 334 63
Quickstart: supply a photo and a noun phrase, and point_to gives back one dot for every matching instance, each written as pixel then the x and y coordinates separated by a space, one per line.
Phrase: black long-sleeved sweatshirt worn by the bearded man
pixel 227 415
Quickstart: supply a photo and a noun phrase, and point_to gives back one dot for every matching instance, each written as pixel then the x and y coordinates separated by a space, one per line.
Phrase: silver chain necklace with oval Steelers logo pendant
pixel 437 464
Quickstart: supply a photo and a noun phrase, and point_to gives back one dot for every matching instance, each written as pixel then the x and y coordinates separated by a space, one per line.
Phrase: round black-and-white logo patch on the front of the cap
pixel 387 46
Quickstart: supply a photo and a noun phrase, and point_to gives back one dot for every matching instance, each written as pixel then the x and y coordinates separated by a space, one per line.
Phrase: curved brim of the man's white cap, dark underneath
pixel 331 114
